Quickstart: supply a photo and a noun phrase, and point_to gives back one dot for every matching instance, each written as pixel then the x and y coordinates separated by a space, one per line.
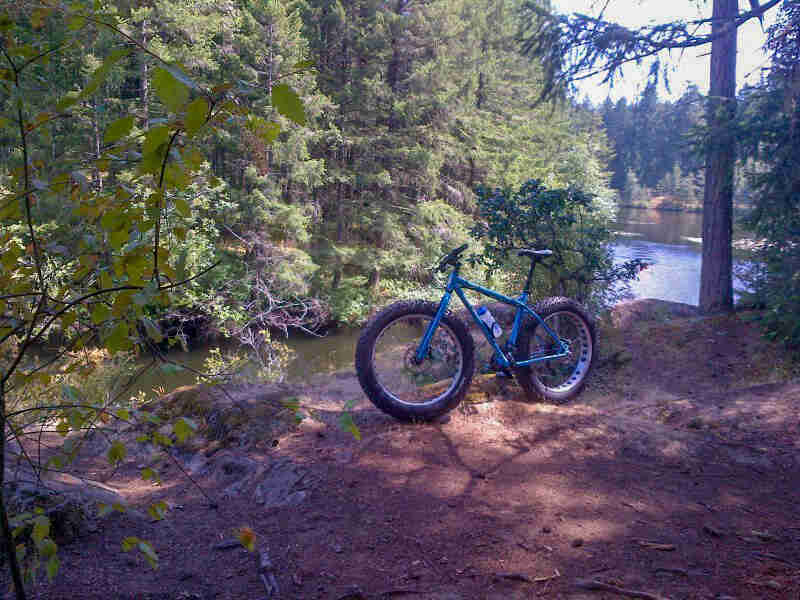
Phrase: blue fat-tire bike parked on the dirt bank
pixel 415 360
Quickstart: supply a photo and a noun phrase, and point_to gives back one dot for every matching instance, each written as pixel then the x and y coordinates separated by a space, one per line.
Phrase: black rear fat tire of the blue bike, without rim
pixel 526 376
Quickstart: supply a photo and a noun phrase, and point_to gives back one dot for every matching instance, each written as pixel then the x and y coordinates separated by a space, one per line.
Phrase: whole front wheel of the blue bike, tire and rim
pixel 392 377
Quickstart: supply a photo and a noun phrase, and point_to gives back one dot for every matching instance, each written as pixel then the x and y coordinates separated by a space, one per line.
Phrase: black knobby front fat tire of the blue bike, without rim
pixel 368 379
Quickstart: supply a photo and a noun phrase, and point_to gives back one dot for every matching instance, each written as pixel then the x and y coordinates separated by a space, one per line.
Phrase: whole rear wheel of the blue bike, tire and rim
pixel 558 379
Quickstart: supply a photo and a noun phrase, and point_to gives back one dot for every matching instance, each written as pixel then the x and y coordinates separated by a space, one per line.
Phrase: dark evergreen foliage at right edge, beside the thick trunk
pixel 770 134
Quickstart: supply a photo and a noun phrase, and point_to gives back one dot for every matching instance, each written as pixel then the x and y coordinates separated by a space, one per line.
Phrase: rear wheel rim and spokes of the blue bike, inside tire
pixel 561 376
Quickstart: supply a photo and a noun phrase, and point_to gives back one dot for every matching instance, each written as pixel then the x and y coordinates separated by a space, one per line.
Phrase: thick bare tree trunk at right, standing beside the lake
pixel 716 275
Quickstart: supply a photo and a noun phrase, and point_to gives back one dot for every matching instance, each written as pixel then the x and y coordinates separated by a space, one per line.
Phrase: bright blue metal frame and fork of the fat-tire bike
pixel 457 284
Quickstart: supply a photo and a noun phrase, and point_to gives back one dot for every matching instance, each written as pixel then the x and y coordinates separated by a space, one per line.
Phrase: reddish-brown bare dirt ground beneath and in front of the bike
pixel 673 475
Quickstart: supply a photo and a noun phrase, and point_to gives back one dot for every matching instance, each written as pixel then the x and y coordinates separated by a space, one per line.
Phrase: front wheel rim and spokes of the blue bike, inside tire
pixel 398 374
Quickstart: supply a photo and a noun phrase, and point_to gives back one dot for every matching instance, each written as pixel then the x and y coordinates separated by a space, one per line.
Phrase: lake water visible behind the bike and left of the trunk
pixel 669 241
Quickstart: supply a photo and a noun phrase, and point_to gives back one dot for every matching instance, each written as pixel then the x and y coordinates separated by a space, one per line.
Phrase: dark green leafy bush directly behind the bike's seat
pixel 566 221
